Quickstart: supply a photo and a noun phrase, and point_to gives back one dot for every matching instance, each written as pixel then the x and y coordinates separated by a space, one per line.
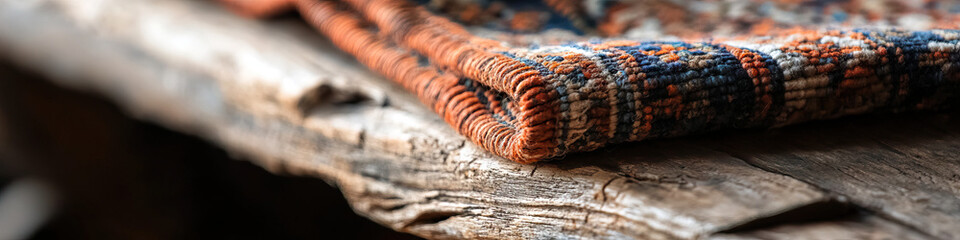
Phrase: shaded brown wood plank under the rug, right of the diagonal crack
pixel 904 167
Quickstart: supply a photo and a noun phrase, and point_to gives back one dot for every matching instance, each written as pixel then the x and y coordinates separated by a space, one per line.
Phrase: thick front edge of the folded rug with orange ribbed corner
pixel 530 103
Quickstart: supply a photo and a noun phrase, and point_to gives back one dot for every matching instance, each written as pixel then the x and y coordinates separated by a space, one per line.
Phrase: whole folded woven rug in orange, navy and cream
pixel 535 87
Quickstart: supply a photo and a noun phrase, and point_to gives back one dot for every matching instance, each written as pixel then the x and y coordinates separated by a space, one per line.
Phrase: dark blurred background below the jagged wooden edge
pixel 73 166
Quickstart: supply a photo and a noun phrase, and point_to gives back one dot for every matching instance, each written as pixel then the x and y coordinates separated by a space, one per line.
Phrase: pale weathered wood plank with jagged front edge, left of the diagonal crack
pixel 276 93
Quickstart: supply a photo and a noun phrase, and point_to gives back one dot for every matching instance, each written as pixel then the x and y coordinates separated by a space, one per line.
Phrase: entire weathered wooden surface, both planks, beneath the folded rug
pixel 279 94
